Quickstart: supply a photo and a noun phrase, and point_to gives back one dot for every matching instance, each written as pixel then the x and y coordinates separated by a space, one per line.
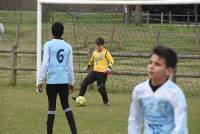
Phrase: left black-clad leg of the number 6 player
pixel 52 95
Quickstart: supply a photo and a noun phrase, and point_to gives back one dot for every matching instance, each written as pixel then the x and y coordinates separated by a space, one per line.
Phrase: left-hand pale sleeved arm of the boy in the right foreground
pixel 135 119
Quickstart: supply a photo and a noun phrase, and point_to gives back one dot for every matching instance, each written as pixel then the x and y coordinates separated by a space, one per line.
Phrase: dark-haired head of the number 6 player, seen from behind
pixel 57 29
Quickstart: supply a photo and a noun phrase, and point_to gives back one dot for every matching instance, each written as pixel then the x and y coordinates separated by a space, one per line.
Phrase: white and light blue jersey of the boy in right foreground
pixel 162 112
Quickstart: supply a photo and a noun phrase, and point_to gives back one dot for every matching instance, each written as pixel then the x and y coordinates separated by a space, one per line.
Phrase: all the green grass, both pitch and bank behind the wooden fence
pixel 23 111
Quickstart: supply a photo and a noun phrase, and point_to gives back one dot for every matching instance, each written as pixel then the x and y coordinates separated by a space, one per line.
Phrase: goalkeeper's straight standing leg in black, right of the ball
pixel 101 80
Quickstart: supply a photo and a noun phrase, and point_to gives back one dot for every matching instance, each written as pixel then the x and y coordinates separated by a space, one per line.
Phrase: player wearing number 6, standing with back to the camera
pixel 57 66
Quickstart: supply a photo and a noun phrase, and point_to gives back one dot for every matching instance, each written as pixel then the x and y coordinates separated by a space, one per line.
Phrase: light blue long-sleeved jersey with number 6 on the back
pixel 57 63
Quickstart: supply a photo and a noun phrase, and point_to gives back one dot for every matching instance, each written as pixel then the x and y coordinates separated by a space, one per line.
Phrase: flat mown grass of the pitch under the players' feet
pixel 24 111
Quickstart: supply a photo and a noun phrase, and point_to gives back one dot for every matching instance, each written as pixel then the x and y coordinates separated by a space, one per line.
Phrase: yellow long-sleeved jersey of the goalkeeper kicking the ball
pixel 101 60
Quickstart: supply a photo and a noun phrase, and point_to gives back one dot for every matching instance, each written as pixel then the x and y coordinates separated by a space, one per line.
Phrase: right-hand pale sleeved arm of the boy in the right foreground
pixel 180 115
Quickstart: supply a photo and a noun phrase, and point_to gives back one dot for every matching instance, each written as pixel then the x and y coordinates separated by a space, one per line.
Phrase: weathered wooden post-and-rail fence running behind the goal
pixel 14 51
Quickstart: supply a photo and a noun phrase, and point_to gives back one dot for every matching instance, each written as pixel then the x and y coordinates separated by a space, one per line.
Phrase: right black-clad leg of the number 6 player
pixel 63 93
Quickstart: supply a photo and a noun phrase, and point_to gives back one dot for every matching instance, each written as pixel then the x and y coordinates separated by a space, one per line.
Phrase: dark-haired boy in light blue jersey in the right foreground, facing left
pixel 158 102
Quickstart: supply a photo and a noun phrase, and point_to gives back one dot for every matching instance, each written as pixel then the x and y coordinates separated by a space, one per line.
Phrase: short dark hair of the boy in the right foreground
pixel 167 53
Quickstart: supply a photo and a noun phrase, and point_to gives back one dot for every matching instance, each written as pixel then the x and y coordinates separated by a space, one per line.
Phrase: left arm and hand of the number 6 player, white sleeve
pixel 43 69
